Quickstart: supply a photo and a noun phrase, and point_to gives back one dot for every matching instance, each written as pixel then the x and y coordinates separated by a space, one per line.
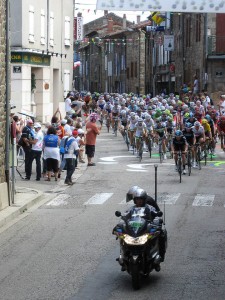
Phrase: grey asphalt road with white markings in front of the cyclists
pixel 65 249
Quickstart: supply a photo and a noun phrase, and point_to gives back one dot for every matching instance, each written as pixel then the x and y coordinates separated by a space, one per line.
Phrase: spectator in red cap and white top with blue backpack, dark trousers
pixel 71 151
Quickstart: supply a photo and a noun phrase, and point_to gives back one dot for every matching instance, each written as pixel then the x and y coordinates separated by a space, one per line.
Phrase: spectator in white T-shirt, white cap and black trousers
pixel 36 150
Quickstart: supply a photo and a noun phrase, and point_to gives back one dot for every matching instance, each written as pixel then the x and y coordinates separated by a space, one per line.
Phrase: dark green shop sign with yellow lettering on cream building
pixel 30 58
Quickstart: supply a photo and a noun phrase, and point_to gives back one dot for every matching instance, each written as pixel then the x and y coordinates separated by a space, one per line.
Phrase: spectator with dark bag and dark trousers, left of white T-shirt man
pixel 27 137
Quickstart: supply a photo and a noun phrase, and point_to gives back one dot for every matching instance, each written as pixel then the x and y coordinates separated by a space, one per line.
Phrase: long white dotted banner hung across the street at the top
pixel 202 6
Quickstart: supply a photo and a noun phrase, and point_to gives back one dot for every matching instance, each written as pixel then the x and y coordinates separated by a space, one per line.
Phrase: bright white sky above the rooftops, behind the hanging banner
pixel 89 13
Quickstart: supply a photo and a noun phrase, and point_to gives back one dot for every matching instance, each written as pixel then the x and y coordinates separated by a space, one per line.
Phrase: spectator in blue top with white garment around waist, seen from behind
pixel 51 152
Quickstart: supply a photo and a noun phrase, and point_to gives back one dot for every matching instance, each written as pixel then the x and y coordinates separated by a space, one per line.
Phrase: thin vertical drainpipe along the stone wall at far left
pixel 7 99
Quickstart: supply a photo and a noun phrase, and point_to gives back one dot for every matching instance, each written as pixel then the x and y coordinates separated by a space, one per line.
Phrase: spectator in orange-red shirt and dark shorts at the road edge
pixel 92 130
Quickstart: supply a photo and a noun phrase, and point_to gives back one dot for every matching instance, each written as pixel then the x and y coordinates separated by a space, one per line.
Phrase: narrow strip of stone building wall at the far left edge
pixel 3 185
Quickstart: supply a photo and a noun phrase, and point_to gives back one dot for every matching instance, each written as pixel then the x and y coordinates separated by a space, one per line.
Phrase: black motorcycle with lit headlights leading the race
pixel 140 244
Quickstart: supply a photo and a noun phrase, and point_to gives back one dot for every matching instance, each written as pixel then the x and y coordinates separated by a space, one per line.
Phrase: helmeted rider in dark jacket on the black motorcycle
pixel 141 199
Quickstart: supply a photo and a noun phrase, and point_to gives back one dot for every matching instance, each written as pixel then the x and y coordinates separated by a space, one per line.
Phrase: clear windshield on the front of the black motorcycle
pixel 136 223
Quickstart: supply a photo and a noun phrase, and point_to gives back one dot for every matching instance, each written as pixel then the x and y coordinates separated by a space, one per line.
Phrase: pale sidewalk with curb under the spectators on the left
pixel 32 192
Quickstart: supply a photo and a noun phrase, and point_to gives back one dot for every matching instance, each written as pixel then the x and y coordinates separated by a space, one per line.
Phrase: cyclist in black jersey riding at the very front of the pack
pixel 179 143
